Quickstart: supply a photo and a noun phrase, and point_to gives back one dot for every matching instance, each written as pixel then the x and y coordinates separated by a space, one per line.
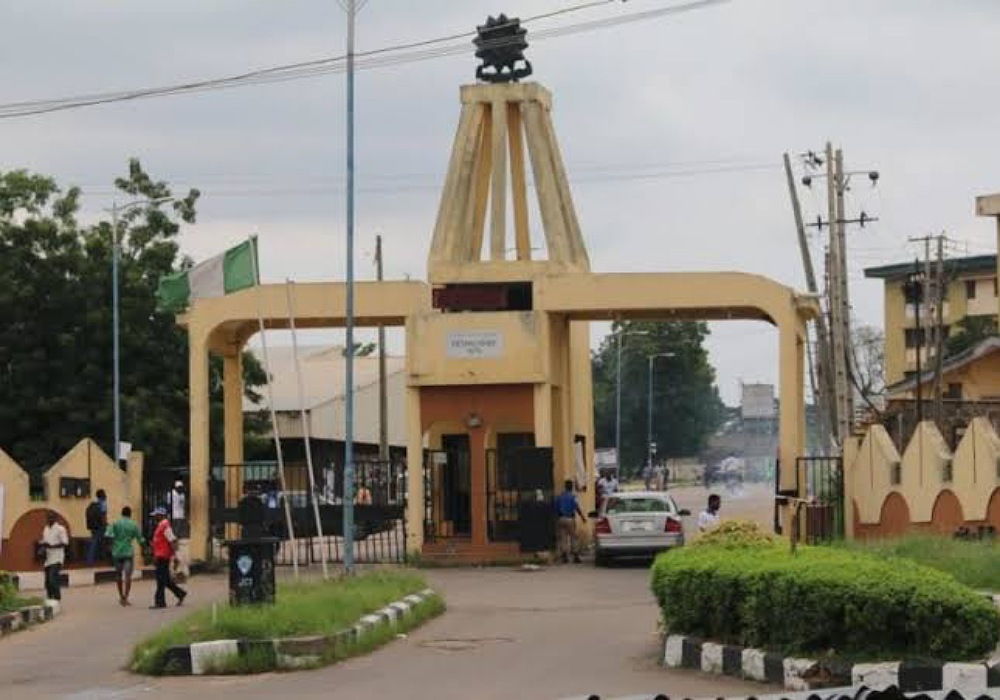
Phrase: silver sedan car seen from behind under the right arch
pixel 637 523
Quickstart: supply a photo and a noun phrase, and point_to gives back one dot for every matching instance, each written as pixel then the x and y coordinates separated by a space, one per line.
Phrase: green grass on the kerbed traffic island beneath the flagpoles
pixel 302 609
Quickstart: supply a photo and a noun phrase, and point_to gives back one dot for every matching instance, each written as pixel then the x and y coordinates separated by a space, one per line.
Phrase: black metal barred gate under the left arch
pixel 379 509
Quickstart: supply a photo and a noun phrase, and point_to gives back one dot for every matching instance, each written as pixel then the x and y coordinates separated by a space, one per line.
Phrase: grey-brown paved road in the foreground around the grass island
pixel 554 633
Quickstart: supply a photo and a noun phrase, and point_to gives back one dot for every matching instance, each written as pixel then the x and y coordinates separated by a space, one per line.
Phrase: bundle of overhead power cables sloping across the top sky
pixel 377 58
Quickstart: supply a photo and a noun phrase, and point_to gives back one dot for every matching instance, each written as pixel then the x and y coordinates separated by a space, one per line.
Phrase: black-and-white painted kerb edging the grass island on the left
pixel 290 653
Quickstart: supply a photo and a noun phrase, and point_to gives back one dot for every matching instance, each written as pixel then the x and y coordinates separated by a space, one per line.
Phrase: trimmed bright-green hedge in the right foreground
pixel 822 600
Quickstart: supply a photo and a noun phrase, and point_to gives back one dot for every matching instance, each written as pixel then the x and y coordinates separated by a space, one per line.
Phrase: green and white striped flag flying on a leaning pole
pixel 226 273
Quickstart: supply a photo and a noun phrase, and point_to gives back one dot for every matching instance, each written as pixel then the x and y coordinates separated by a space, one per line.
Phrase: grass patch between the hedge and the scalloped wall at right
pixel 976 564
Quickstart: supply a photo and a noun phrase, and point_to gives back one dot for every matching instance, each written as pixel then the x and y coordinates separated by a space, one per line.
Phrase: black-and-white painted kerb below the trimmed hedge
pixel 798 674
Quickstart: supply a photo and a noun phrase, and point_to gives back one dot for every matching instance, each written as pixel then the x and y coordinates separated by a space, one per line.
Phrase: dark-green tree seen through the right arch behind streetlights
pixel 686 403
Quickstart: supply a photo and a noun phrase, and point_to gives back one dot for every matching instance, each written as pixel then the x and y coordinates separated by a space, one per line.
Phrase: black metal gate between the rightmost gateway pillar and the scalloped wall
pixel 823 481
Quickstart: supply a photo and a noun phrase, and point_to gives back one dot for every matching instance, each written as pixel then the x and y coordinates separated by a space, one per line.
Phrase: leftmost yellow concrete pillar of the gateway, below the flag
pixel 198 386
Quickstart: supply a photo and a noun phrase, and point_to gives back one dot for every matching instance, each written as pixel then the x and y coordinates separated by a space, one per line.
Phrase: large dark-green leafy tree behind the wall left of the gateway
pixel 55 341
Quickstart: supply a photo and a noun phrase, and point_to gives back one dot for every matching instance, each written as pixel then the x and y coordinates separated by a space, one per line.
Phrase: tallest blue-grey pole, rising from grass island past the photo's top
pixel 352 9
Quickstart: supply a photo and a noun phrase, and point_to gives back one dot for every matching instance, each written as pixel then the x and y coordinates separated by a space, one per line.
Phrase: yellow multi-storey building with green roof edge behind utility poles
pixel 971 291
